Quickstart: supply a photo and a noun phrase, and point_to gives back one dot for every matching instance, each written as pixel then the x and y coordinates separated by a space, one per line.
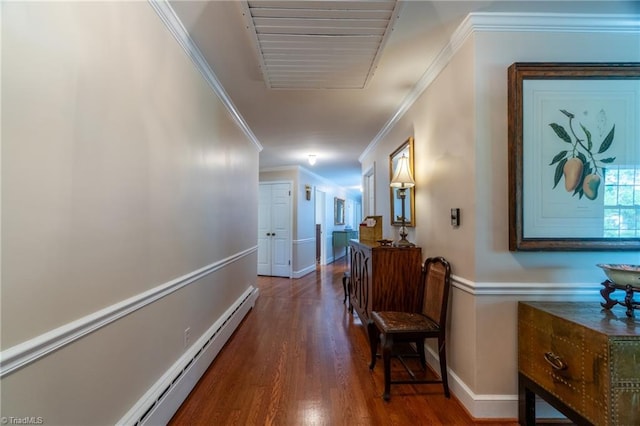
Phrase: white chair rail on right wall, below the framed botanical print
pixel 524 289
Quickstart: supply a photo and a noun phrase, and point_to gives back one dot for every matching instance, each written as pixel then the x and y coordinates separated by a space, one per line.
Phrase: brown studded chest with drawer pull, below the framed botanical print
pixel 582 359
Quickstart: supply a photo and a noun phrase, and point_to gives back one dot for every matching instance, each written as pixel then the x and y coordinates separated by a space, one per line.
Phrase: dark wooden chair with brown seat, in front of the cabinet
pixel 394 327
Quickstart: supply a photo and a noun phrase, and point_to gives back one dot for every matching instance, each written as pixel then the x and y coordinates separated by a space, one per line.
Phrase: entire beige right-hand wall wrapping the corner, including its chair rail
pixel 460 128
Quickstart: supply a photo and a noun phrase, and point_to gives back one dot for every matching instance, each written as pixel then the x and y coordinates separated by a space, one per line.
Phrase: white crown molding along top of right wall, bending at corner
pixel 532 22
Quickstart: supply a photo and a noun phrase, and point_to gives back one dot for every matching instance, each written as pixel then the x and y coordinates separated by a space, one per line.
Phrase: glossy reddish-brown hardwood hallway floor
pixel 300 358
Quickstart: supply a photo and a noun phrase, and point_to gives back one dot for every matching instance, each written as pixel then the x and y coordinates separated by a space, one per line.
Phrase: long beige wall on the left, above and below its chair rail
pixel 121 171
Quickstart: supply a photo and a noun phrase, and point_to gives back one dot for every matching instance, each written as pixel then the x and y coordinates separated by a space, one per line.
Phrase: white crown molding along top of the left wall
pixel 177 29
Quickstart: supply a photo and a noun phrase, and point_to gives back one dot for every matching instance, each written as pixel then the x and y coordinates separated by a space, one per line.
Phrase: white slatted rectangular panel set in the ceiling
pixel 319 44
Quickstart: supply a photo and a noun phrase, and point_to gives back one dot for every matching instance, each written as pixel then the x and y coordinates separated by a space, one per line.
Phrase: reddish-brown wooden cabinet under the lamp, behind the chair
pixel 384 278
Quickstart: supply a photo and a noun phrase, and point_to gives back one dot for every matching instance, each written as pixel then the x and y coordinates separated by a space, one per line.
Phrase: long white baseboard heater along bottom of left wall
pixel 164 398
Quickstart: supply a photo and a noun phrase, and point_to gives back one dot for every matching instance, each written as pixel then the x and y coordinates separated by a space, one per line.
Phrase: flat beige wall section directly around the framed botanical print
pixel 494 263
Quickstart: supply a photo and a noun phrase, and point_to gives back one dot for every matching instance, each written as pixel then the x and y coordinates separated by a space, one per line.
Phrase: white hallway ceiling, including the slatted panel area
pixel 335 124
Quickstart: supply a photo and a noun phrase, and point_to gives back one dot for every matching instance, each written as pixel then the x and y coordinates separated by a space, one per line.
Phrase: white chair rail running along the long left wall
pixel 33 349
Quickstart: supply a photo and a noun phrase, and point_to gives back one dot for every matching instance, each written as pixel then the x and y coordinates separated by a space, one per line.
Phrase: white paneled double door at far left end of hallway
pixel 274 225
